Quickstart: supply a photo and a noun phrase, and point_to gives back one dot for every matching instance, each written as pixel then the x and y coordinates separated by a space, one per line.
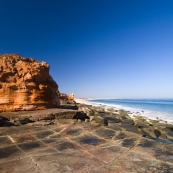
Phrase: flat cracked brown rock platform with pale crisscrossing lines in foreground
pixel 82 147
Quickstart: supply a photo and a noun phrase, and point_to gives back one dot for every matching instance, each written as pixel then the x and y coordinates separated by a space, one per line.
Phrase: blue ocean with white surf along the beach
pixel 152 108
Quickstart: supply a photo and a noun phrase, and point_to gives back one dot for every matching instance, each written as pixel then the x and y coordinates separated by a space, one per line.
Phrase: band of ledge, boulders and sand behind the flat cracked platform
pixel 85 112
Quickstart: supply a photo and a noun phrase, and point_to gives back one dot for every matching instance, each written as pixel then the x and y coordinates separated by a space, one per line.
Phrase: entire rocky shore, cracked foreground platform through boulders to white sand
pixel 84 138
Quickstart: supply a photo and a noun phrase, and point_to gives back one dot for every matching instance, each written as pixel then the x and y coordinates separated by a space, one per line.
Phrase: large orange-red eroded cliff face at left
pixel 25 84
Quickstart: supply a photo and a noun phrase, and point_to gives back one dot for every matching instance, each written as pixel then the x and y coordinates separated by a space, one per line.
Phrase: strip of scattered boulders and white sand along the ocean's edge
pixel 156 129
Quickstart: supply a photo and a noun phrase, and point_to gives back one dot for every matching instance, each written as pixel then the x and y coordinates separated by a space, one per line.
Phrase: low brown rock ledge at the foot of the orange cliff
pixel 49 115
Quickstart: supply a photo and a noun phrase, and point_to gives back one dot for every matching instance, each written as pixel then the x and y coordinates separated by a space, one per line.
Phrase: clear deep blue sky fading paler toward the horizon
pixel 96 48
